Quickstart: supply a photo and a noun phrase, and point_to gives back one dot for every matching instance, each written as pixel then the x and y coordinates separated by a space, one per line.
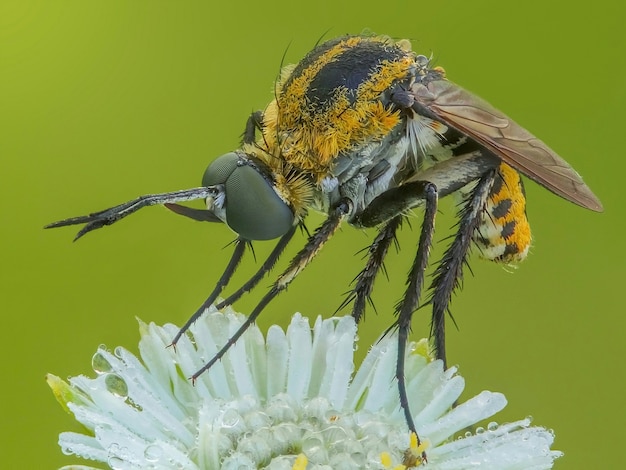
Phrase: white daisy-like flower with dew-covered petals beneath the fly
pixel 285 402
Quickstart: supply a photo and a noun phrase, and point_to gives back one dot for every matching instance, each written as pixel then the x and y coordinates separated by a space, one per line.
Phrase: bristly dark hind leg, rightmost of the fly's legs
pixel 449 272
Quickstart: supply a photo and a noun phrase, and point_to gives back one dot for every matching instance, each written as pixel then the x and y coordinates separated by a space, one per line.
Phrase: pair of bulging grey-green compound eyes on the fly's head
pixel 252 207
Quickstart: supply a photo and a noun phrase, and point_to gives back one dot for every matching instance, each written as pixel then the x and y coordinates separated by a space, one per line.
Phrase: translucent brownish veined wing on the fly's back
pixel 512 143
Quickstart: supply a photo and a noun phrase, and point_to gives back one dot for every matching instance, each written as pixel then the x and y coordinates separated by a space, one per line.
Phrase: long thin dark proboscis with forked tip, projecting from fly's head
pixel 113 214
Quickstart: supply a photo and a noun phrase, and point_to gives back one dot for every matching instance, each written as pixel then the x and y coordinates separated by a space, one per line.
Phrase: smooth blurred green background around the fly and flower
pixel 103 101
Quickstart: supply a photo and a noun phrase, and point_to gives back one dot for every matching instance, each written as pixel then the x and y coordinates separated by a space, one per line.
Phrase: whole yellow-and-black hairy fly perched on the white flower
pixel 364 129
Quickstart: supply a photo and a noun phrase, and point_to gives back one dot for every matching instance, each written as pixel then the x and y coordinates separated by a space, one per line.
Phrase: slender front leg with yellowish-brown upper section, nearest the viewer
pixel 315 243
